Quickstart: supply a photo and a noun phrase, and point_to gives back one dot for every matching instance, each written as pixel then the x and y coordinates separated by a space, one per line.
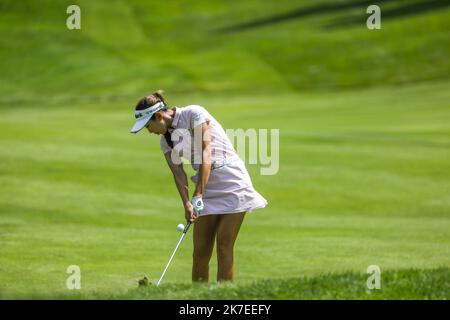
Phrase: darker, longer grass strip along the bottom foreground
pixel 409 284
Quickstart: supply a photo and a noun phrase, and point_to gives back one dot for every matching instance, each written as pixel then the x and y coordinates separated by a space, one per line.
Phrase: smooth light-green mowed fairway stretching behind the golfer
pixel 363 179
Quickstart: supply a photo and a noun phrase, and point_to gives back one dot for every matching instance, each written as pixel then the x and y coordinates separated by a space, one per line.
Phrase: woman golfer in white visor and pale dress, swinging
pixel 223 189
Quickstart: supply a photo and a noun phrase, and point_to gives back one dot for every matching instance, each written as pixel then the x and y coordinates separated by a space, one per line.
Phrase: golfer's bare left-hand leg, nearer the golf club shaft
pixel 205 228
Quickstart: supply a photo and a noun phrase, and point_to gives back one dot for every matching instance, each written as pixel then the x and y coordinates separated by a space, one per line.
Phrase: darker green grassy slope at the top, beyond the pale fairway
pixel 125 47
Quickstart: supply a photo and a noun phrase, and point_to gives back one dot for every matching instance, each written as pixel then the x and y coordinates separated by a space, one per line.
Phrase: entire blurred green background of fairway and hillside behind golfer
pixel 364 119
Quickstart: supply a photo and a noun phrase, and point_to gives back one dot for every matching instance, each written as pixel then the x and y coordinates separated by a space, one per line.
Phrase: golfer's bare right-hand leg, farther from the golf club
pixel 227 231
